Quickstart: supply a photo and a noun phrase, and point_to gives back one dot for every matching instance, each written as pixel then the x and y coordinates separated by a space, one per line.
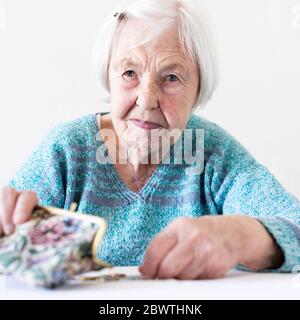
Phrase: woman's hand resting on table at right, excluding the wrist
pixel 193 248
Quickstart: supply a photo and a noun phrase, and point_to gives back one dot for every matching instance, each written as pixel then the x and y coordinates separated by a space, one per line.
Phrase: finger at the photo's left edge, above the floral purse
pixel 8 200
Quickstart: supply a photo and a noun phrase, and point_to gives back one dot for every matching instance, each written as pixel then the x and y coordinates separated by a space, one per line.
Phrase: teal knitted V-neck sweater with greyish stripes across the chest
pixel 63 169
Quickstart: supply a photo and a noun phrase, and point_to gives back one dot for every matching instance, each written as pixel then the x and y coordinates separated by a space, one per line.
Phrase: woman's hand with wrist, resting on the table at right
pixel 206 247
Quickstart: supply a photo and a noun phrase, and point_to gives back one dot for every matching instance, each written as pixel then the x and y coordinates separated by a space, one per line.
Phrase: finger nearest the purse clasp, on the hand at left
pixel 26 202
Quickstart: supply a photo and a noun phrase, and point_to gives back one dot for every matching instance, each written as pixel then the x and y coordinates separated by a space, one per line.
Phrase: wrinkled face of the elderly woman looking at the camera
pixel 154 82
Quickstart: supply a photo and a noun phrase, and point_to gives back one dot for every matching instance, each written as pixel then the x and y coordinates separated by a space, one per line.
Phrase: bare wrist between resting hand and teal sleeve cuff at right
pixel 258 248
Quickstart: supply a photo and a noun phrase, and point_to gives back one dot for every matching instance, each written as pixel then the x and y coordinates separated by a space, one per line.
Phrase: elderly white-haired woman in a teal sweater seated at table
pixel 157 60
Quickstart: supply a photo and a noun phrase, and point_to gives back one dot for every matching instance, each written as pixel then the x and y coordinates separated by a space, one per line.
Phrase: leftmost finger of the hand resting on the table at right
pixel 157 249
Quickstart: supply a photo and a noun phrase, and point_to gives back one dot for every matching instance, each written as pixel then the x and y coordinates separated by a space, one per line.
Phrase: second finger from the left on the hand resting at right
pixel 175 261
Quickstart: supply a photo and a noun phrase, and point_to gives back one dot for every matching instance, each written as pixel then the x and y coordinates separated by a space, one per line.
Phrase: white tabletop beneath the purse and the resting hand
pixel 235 285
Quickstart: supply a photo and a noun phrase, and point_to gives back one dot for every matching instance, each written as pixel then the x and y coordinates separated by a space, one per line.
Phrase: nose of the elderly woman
pixel 148 95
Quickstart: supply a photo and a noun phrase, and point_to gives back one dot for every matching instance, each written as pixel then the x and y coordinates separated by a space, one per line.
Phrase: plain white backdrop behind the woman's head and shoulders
pixel 46 76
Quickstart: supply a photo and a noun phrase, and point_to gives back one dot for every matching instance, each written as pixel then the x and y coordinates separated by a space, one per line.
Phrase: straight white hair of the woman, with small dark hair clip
pixel 194 31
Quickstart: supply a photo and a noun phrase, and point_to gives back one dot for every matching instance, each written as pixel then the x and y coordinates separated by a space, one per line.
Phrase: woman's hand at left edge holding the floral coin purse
pixel 15 208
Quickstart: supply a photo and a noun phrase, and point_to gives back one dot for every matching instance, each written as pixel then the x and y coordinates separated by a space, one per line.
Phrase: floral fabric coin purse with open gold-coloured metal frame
pixel 54 246
